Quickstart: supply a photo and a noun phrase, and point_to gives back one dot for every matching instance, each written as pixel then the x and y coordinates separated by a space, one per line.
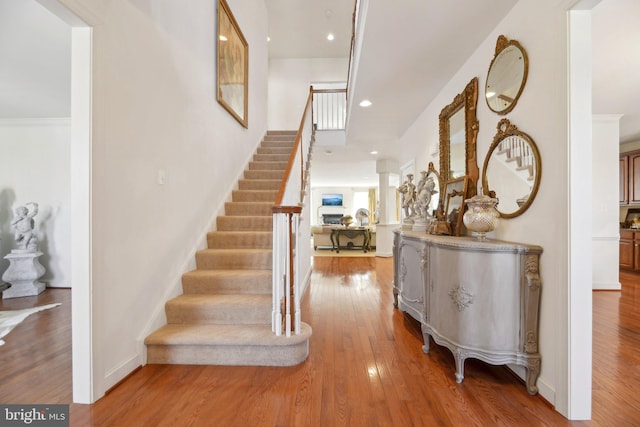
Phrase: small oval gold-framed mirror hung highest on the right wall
pixel 506 76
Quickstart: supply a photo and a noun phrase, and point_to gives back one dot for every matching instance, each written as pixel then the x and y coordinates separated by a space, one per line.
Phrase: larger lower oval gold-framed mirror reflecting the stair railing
pixel 512 169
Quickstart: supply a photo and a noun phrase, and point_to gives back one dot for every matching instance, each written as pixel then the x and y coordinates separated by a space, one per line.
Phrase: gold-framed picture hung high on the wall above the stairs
pixel 233 66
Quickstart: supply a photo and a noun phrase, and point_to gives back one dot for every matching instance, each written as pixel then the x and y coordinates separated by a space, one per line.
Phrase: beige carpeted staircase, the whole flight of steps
pixel 224 315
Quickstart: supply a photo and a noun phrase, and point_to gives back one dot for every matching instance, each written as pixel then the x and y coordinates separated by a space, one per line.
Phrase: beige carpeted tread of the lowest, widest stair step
pixel 211 334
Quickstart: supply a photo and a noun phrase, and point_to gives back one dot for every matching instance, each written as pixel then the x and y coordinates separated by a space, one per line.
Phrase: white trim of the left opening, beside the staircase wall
pixel 85 389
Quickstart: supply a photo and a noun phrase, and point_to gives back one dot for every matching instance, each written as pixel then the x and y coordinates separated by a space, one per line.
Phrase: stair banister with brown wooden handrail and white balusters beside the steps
pixel 286 315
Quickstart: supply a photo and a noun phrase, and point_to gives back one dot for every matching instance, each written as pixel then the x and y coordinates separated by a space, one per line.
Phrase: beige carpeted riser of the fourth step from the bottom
pixel 233 259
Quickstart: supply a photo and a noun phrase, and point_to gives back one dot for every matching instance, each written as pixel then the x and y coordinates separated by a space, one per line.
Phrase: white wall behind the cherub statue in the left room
pixel 34 167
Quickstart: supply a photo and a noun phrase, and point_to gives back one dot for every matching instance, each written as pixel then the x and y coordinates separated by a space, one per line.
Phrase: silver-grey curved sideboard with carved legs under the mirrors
pixel 478 298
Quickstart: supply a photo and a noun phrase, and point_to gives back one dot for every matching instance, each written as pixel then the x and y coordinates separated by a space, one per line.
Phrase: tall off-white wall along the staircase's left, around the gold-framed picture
pixel 155 112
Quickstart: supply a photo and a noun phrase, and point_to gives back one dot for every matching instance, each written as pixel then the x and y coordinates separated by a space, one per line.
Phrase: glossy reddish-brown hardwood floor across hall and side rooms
pixel 365 368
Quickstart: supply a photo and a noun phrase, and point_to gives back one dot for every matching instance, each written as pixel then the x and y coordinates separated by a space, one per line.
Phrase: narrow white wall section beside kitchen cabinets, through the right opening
pixel 606 227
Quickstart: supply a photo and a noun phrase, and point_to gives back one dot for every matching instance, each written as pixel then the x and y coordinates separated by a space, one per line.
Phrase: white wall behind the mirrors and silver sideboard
pixel 541 112
